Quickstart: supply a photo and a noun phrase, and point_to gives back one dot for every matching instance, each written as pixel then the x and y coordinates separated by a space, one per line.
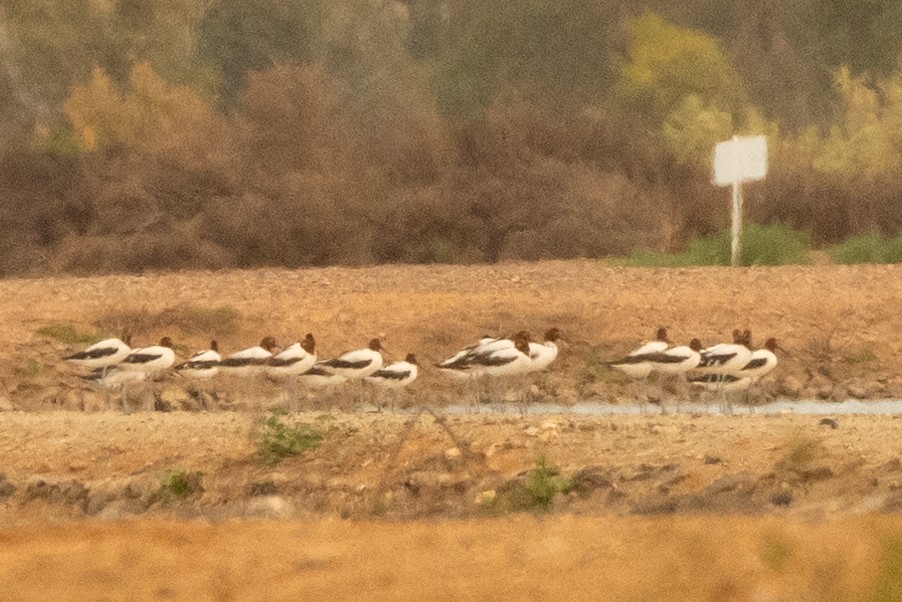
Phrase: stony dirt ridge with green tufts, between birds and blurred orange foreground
pixel 214 465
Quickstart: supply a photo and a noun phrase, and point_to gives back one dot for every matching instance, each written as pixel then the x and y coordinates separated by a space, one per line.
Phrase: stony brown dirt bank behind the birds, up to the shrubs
pixel 838 323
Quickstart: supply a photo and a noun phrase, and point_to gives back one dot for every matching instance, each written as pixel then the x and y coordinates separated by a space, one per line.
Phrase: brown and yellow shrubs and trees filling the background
pixel 152 134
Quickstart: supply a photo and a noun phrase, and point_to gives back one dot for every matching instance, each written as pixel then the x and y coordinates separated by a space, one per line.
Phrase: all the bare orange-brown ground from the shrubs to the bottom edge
pixel 178 505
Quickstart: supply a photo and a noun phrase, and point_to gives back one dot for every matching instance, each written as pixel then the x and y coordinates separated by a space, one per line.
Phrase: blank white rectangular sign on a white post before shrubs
pixel 740 159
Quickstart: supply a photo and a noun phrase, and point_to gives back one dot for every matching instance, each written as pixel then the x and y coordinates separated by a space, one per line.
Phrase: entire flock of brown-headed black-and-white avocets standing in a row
pixel 728 366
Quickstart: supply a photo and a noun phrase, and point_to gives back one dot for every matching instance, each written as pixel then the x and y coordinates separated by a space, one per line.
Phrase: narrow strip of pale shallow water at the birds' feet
pixel 824 408
